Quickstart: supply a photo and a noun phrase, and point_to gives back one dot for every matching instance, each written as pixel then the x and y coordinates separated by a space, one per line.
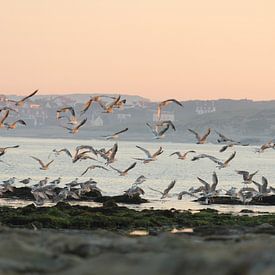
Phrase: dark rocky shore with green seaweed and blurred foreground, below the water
pixel 66 239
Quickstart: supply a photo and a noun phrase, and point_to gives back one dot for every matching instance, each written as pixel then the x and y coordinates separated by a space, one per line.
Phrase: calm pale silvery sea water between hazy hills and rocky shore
pixel 159 173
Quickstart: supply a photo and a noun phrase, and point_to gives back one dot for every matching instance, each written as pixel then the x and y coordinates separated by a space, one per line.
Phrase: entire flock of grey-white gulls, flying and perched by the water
pixel 104 158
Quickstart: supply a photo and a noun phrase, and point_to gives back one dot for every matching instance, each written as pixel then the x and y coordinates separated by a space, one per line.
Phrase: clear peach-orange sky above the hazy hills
pixel 153 48
